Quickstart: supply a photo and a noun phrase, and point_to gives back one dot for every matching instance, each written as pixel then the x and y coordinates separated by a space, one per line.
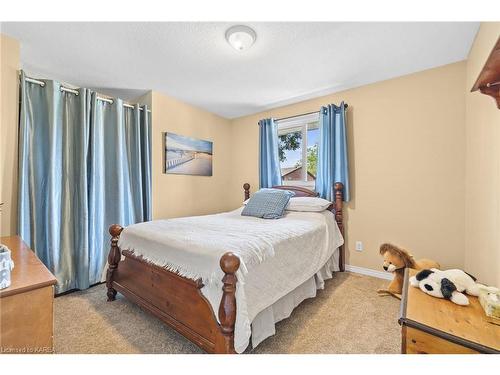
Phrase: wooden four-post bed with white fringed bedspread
pixel 265 280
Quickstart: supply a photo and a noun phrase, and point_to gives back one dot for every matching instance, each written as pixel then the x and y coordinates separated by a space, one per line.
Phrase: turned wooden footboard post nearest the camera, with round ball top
pixel 227 308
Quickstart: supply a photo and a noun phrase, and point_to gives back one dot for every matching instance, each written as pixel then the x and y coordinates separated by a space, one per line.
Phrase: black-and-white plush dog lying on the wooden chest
pixel 449 284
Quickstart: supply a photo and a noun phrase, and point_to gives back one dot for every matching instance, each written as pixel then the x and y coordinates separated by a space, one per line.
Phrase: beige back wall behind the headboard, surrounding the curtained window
pixel 406 141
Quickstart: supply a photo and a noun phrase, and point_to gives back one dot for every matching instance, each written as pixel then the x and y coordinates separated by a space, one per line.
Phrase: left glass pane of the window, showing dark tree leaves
pixel 290 153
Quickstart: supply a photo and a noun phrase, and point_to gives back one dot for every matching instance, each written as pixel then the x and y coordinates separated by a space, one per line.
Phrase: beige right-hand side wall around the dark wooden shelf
pixel 482 236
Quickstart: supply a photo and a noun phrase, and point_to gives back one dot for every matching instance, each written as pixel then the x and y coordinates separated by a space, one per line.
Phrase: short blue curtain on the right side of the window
pixel 332 154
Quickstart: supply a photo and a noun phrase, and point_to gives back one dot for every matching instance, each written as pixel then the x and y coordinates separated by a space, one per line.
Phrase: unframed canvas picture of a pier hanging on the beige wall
pixel 186 155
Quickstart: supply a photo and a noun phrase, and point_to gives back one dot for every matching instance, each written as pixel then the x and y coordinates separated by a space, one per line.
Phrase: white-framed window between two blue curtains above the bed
pixel 298 150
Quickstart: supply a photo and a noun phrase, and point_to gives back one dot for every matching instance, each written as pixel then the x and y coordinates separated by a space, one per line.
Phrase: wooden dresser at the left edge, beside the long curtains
pixel 27 305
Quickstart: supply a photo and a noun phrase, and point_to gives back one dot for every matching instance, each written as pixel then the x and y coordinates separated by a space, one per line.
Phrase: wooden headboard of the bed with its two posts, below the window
pixel 336 208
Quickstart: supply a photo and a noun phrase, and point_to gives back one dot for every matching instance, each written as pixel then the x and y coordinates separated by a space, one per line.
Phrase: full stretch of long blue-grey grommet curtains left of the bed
pixel 82 166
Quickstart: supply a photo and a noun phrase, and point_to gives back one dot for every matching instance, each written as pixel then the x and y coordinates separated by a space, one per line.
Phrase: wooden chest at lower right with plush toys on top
pixel 432 325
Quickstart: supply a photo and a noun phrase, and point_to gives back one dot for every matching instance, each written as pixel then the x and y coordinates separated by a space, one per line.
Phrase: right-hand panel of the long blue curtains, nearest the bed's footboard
pixel 119 174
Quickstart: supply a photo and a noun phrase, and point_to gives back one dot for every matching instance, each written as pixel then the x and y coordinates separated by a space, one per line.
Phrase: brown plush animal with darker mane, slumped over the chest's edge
pixel 395 261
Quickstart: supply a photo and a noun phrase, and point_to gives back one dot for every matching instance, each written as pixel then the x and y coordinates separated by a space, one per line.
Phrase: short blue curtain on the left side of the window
pixel 269 164
